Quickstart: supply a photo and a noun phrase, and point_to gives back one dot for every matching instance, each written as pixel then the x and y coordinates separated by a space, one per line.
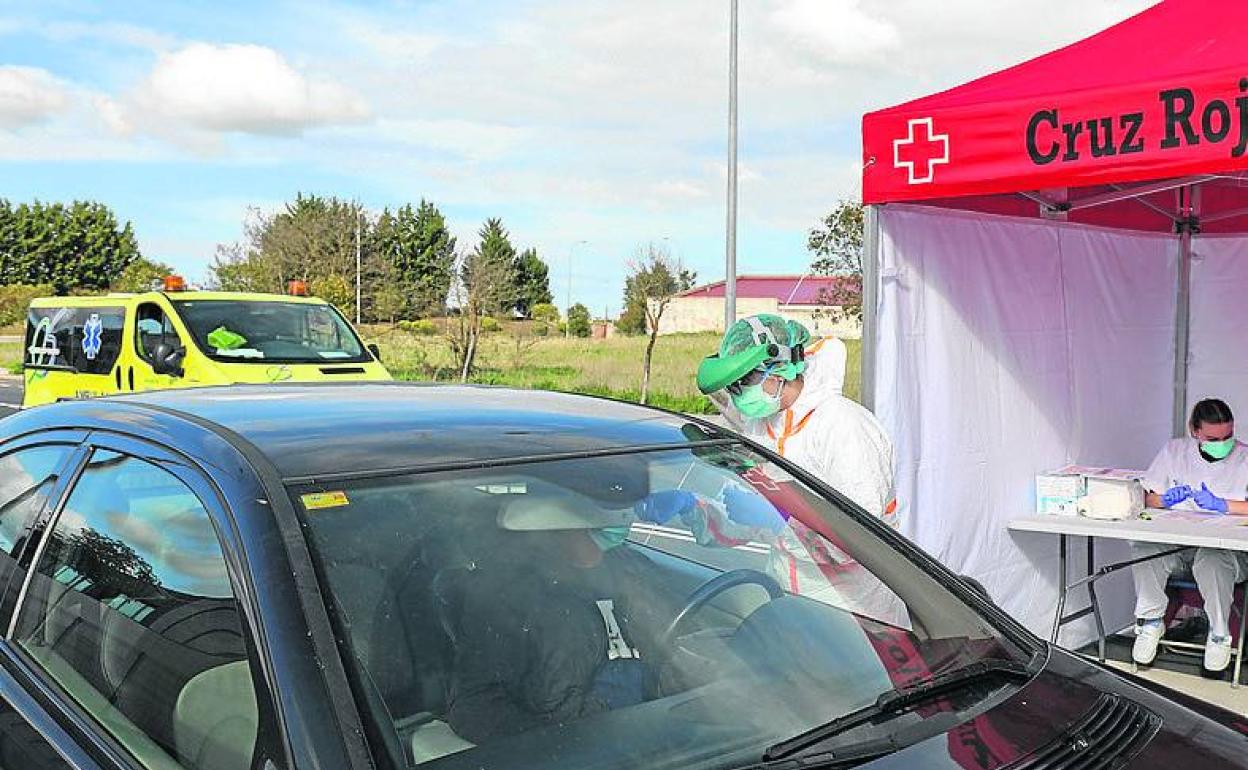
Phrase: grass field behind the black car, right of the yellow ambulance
pixel 601 368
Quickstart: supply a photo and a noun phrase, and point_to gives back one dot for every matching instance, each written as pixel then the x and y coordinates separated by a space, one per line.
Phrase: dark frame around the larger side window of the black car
pixel 84 728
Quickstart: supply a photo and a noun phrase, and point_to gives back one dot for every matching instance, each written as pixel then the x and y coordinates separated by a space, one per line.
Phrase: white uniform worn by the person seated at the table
pixel 1216 571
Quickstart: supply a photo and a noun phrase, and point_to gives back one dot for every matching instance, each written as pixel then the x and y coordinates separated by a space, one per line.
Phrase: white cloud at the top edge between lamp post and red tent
pixel 838 31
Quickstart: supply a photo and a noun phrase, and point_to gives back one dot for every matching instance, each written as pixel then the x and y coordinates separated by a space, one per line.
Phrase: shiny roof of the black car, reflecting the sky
pixel 316 431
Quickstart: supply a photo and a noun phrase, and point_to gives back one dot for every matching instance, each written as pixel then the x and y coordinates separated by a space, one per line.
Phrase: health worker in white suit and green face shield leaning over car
pixel 784 391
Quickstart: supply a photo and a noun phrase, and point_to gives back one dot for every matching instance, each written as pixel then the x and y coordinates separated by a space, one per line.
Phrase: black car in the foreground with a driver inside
pixel 384 576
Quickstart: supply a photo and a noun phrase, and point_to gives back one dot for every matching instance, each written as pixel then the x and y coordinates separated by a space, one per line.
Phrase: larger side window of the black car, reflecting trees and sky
pixel 130 612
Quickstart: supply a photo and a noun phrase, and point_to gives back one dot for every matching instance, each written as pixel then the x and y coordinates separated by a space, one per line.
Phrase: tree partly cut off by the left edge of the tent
pixel 837 250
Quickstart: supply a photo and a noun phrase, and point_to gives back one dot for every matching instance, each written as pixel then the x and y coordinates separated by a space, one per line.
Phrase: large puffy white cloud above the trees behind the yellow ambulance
pixel 248 89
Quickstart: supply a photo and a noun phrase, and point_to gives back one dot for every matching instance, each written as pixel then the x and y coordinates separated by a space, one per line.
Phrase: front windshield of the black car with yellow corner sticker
pixel 648 610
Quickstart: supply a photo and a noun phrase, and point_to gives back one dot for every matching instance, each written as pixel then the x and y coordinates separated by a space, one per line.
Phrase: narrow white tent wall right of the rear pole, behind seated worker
pixel 1219 331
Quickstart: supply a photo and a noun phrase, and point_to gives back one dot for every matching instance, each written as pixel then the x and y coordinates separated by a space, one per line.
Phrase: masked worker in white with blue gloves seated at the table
pixel 1207 472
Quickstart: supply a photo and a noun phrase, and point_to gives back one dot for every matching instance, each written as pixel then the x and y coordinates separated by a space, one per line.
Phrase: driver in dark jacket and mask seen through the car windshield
pixel 570 638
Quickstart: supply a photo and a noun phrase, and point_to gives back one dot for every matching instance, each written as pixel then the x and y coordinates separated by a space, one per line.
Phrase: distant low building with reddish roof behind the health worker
pixel 796 298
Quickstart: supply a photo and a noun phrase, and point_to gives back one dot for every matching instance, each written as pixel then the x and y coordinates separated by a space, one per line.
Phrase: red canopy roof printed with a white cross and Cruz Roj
pixel 1161 99
